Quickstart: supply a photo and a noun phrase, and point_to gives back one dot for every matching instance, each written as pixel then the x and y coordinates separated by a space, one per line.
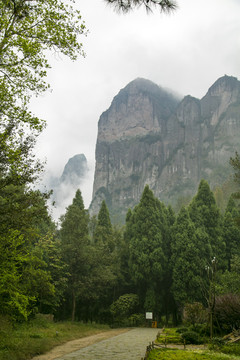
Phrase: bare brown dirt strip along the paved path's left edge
pixel 74 345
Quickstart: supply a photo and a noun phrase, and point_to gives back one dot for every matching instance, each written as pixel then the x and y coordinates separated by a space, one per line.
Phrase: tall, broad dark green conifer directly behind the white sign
pixel 146 257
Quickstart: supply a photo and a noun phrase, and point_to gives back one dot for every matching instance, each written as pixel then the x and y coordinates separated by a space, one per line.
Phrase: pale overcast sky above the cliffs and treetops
pixel 186 51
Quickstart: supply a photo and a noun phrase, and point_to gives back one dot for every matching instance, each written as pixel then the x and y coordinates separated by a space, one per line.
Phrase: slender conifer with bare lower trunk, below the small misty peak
pixel 74 240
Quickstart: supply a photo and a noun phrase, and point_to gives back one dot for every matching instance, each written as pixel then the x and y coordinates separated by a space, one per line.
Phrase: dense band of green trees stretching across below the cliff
pixel 89 270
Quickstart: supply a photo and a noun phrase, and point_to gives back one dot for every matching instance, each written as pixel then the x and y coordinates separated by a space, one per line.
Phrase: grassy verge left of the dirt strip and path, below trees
pixel 24 341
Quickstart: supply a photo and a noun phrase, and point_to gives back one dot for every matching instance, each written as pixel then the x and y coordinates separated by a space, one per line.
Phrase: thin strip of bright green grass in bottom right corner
pixel 172 354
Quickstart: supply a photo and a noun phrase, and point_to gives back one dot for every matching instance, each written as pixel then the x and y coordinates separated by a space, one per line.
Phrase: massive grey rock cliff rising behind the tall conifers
pixel 148 136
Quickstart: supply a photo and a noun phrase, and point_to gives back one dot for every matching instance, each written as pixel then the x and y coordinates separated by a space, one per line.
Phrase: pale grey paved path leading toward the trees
pixel 128 346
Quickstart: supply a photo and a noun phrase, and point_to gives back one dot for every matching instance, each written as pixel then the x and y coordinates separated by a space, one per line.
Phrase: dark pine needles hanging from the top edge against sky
pixel 127 5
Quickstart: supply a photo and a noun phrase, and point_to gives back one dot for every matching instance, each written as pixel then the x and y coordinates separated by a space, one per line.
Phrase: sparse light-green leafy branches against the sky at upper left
pixel 28 29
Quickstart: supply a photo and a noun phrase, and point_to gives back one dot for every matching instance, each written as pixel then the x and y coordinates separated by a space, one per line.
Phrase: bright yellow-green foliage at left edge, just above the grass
pixel 25 280
